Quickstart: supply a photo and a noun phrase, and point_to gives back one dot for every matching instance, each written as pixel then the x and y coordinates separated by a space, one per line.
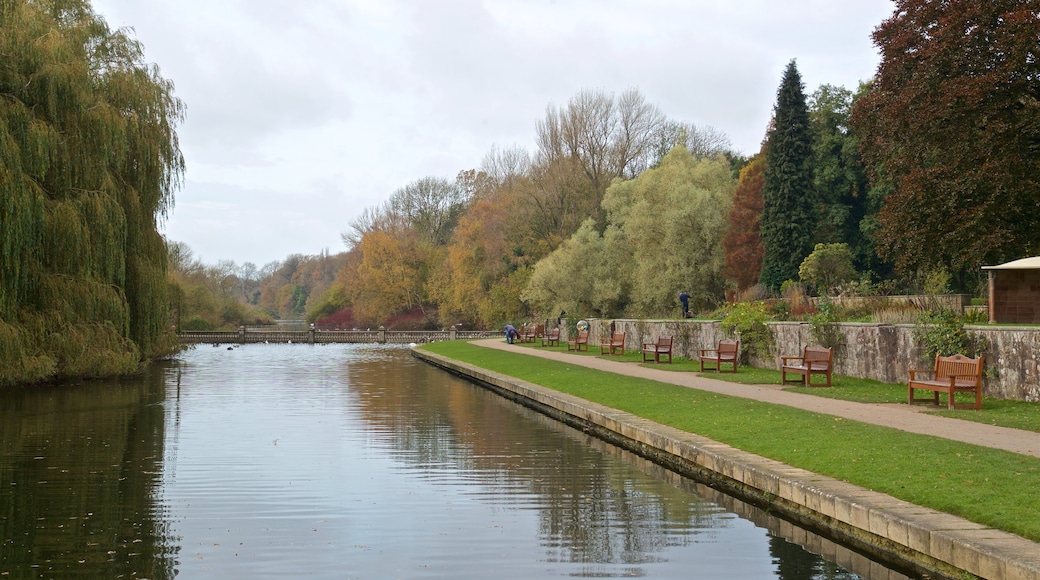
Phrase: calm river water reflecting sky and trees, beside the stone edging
pixel 352 462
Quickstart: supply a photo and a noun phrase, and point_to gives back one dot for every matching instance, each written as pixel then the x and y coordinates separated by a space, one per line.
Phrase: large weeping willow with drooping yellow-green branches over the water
pixel 89 163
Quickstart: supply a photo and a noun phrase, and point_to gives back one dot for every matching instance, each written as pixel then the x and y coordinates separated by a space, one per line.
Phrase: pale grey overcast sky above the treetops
pixel 302 114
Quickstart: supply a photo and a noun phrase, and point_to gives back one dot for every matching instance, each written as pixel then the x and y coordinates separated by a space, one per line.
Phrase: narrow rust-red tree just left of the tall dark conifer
pixel 743 244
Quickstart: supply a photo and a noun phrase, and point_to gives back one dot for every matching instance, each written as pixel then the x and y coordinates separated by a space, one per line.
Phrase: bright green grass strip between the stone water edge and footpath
pixel 991 487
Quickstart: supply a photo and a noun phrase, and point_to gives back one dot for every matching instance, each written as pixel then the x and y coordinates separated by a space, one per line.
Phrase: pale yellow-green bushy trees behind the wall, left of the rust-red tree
pixel 664 234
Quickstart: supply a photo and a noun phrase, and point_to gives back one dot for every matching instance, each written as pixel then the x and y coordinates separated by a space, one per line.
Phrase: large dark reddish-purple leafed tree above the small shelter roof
pixel 952 130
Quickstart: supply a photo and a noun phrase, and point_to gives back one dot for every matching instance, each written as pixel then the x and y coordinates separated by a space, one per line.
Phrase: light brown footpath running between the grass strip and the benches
pixel 902 417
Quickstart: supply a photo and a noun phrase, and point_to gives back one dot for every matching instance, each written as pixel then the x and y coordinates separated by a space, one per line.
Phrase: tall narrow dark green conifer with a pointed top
pixel 790 206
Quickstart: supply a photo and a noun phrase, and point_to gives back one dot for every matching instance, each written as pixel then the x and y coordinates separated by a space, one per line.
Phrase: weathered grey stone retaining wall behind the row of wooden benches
pixel 868 351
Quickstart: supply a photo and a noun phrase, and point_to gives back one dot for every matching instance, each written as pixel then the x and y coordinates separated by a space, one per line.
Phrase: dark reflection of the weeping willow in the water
pixel 81 467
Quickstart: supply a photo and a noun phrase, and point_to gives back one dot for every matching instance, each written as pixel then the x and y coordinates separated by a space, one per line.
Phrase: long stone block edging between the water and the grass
pixel 893 531
